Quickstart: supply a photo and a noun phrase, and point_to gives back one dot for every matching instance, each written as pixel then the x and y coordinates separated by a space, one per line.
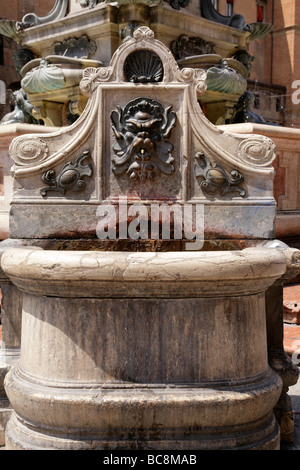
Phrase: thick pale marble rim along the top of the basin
pixel 142 274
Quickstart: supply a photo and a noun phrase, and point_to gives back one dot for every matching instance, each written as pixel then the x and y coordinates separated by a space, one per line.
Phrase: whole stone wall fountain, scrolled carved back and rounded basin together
pixel 132 339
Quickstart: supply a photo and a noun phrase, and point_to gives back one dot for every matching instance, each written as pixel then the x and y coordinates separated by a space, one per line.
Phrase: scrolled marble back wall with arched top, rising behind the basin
pixel 144 130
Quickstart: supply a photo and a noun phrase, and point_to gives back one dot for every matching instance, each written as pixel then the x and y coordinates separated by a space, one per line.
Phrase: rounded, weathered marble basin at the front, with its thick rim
pixel 125 350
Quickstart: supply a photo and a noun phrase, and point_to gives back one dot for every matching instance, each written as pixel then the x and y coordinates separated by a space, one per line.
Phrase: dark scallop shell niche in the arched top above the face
pixel 143 66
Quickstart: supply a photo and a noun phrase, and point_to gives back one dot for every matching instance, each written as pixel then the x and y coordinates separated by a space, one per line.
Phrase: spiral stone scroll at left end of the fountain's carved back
pixel 28 150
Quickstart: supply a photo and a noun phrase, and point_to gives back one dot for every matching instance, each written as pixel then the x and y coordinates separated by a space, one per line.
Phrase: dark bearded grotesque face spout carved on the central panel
pixel 141 129
